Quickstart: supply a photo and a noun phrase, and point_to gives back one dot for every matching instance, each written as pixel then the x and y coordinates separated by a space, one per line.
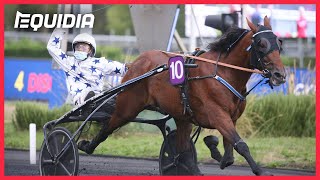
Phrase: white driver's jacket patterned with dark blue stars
pixel 82 76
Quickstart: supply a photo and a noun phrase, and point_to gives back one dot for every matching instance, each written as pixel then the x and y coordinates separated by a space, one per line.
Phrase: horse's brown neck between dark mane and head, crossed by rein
pixel 239 56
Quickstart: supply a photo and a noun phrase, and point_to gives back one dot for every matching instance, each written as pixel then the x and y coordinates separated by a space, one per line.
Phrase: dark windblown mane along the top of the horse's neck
pixel 223 43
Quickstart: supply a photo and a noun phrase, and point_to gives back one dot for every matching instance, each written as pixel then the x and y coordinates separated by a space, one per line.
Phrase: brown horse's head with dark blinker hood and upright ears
pixel 265 52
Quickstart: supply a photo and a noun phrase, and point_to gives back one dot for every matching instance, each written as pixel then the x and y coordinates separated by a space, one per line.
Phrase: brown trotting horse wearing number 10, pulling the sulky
pixel 213 105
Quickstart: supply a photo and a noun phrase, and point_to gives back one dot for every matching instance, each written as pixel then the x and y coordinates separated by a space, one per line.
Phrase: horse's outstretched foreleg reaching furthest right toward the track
pixel 227 129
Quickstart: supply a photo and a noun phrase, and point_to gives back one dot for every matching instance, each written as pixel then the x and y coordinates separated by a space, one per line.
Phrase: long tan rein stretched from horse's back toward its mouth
pixel 215 62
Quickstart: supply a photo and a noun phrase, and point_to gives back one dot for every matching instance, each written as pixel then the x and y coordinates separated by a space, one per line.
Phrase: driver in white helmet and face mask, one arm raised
pixel 84 72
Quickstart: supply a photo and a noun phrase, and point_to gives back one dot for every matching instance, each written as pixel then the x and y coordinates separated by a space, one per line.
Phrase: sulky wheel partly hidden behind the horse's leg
pixel 168 160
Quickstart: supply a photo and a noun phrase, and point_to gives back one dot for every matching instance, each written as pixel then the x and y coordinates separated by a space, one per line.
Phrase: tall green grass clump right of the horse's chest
pixel 277 115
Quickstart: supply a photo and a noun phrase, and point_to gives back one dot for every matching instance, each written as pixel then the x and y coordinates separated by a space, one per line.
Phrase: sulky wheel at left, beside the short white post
pixel 68 163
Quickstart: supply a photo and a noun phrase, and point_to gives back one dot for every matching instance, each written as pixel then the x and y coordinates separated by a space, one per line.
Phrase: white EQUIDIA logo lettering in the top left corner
pixel 36 21
